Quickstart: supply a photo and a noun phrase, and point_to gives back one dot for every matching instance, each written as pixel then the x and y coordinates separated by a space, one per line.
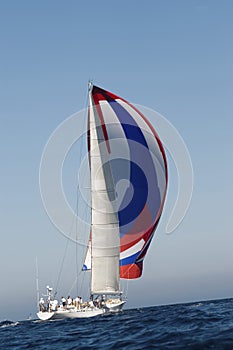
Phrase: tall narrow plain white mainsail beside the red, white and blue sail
pixel 105 239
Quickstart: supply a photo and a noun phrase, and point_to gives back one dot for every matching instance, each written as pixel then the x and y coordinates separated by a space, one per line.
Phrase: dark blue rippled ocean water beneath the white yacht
pixel 200 325
